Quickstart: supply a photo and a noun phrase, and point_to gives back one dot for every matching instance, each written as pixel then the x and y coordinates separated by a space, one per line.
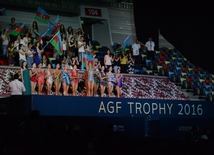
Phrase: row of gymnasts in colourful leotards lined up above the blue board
pixel 96 80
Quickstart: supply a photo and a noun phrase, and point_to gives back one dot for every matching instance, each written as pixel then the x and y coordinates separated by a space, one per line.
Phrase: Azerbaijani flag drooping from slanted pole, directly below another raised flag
pixel 56 41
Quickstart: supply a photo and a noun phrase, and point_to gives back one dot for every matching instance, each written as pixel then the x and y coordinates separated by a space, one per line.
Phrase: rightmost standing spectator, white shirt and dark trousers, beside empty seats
pixel 150 46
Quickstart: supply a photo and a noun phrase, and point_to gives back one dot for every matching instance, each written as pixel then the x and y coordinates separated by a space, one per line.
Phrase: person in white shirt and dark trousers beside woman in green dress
pixel 16 88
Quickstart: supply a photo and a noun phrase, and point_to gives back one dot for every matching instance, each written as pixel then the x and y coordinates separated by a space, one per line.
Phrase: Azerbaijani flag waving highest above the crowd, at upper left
pixel 42 16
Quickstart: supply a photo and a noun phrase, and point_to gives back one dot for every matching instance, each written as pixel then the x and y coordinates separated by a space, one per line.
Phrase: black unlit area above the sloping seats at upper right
pixel 188 26
